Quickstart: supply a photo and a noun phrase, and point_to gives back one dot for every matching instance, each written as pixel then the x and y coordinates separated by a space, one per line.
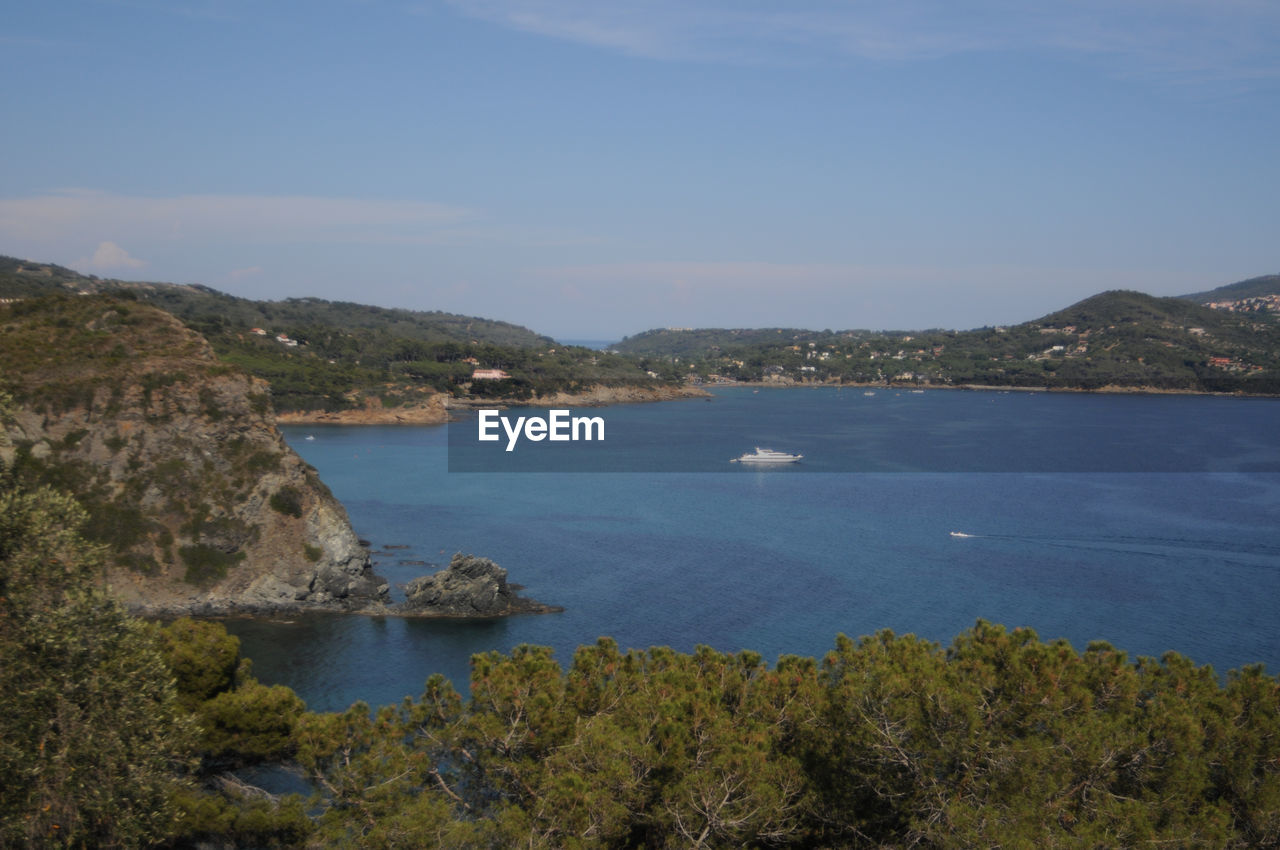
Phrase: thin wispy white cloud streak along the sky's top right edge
pixel 1219 39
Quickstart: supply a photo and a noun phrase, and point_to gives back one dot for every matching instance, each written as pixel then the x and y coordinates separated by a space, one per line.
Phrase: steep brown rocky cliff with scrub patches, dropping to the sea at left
pixel 177 460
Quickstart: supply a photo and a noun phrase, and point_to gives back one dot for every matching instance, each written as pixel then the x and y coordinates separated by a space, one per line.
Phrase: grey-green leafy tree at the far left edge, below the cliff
pixel 93 742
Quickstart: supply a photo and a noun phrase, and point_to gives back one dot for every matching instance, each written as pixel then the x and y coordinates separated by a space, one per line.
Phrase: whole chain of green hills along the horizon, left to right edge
pixel 354 360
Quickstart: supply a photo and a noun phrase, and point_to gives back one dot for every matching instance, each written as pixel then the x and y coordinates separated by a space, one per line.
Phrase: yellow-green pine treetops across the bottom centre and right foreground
pixel 1000 741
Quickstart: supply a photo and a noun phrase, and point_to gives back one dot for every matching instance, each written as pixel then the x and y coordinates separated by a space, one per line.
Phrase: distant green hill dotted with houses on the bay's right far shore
pixel 1114 340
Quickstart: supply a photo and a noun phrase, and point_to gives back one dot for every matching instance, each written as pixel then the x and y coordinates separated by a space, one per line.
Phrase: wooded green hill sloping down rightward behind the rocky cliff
pixel 322 357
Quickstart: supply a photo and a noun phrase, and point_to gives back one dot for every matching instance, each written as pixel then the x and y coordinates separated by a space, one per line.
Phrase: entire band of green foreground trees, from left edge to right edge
pixel 121 734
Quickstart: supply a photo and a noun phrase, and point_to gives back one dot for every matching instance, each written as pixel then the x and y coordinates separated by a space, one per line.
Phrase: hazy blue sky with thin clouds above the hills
pixel 593 168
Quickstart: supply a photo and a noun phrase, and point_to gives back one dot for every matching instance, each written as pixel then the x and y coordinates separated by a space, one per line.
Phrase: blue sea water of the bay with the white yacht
pixel 1169 542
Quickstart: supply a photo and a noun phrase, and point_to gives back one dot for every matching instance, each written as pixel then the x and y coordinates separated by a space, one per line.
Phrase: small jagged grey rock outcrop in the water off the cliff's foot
pixel 469 587
